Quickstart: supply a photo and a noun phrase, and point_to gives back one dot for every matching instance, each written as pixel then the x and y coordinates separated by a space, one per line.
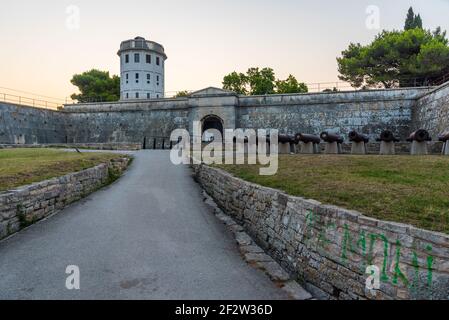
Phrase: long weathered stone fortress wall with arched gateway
pixel 370 112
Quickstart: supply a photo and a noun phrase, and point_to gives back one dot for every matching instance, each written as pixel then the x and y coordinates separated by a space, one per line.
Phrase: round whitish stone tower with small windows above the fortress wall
pixel 142 73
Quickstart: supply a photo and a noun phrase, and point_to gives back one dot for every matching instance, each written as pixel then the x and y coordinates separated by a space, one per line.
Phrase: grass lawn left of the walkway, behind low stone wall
pixel 20 167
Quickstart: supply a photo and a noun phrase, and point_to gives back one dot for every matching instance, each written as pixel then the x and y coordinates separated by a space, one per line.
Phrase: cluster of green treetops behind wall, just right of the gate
pixel 261 81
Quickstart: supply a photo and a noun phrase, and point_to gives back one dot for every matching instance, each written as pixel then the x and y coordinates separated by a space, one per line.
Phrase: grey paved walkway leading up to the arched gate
pixel 147 236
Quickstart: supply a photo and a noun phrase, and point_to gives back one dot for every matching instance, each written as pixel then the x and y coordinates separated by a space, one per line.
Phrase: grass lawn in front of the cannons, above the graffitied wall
pixel 406 189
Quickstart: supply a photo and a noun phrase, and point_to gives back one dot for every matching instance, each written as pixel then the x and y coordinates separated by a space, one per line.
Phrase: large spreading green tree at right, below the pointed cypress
pixel 412 57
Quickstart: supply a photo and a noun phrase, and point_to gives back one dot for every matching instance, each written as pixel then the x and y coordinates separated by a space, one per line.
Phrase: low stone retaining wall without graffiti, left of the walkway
pixel 25 205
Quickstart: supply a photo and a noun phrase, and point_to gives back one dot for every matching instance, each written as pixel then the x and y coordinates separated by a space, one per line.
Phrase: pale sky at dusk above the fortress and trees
pixel 204 39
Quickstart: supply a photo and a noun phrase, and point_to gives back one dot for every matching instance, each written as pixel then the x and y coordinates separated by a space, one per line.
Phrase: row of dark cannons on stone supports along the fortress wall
pixel 309 143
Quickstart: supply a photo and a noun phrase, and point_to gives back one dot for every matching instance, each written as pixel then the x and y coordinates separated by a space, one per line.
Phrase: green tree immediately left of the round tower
pixel 96 85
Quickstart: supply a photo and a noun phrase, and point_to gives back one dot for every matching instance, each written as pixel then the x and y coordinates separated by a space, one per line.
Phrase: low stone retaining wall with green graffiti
pixel 329 248
